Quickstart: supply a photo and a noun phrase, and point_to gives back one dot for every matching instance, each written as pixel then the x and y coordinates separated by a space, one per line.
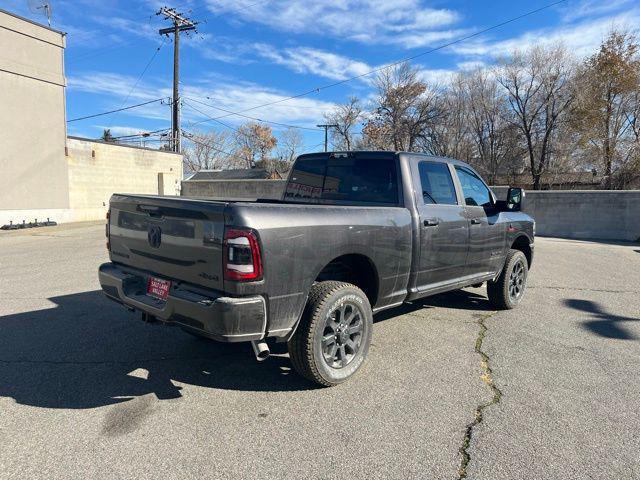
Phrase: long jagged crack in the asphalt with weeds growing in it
pixel 487 378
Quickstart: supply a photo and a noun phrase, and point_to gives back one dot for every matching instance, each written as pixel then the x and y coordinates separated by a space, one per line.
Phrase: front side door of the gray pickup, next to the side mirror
pixel 486 233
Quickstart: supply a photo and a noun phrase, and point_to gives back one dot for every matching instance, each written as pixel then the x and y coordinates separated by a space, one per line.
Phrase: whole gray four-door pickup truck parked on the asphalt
pixel 354 233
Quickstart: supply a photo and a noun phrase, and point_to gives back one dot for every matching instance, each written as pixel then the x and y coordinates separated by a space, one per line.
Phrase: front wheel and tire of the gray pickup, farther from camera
pixel 503 293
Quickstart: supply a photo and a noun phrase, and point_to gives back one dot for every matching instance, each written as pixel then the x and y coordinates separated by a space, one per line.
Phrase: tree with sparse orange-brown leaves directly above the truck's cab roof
pixel 405 109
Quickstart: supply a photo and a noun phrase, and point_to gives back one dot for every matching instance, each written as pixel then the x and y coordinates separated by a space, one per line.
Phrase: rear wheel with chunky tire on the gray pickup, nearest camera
pixel 339 310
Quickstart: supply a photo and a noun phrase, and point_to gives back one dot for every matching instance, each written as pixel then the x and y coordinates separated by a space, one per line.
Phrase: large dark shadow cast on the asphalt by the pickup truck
pixel 89 352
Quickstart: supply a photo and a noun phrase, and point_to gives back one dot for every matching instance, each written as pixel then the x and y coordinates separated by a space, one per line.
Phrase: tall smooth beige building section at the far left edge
pixel 32 116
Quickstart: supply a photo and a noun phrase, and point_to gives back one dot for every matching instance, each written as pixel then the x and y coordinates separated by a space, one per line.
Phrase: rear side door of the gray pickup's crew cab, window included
pixel 444 227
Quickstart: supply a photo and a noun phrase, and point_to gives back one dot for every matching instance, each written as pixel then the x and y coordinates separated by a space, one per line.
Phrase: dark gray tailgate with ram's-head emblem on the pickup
pixel 172 237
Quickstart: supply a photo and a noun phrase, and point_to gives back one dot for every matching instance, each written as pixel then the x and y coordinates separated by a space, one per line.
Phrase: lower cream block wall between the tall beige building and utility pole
pixel 97 170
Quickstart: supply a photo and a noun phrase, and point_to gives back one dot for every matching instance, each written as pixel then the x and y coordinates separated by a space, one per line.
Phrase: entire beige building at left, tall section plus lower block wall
pixel 40 178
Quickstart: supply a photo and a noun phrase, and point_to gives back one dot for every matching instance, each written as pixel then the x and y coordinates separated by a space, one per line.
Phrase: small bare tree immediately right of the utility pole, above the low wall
pixel 210 150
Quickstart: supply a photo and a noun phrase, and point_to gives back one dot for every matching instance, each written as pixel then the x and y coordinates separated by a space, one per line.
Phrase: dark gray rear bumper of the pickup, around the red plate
pixel 226 319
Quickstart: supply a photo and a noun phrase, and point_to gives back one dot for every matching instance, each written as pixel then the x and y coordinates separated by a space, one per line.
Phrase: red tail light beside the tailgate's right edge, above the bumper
pixel 242 260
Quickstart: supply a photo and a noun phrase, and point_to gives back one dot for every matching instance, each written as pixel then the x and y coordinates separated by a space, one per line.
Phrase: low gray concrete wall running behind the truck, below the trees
pixel 579 214
